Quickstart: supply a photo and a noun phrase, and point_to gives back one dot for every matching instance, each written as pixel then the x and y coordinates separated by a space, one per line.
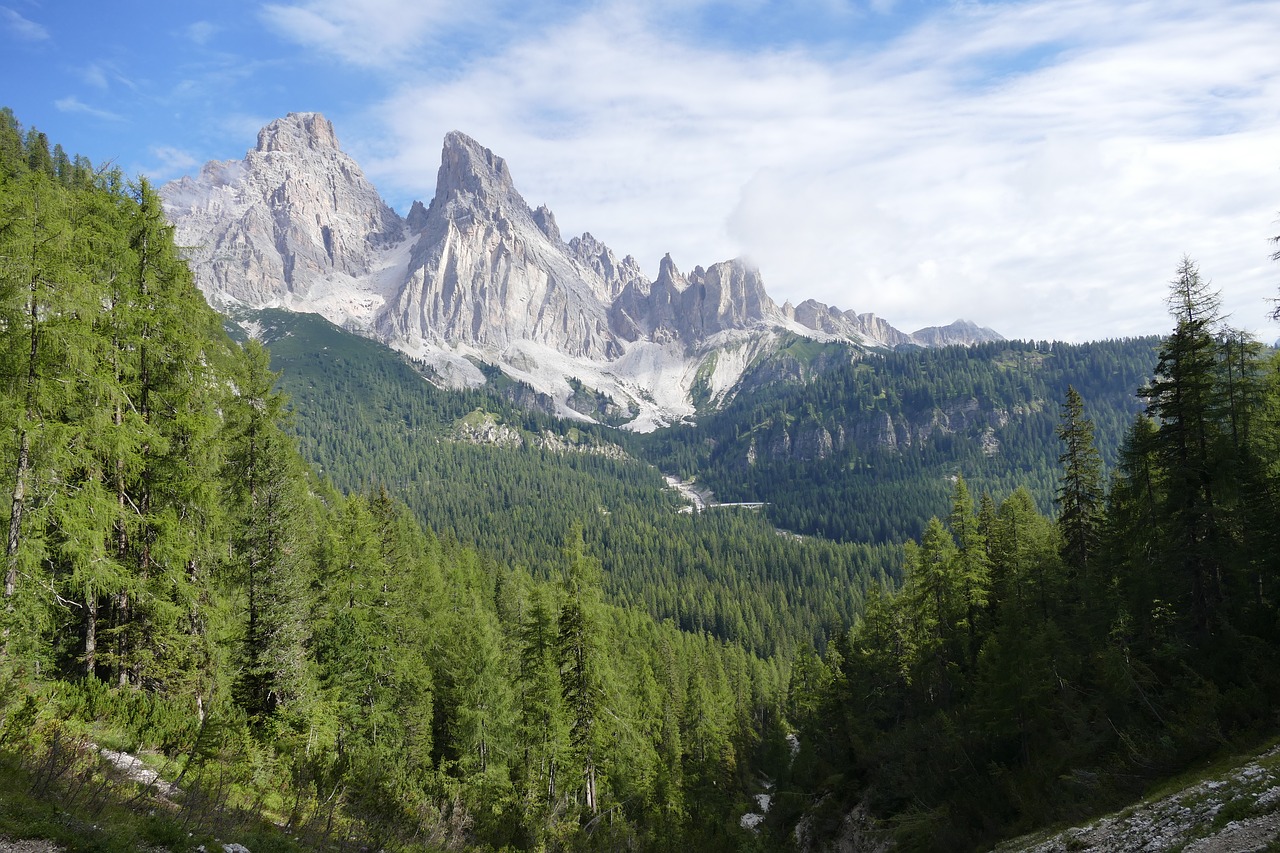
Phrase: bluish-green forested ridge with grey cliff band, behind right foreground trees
pixel 862 446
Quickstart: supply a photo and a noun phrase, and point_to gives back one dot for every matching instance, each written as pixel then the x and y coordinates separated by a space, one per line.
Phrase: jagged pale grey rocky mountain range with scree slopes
pixel 479 277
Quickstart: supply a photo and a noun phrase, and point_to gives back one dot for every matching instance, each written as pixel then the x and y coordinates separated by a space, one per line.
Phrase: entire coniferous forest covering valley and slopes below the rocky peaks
pixel 332 622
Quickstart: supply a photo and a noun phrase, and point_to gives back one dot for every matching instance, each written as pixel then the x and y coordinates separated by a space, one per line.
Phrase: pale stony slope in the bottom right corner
pixel 1235 811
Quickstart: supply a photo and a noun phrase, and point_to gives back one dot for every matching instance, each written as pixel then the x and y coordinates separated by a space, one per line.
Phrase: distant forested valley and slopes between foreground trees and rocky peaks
pixel 367 417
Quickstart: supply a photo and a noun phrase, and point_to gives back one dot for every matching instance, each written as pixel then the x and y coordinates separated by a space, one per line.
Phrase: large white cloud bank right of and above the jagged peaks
pixel 1035 167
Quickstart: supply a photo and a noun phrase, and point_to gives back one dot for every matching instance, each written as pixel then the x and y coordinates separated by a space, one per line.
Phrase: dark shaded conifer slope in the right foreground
pixel 1035 670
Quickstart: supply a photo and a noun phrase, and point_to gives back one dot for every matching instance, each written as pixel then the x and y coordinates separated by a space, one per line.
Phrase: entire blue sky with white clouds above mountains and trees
pixel 1037 167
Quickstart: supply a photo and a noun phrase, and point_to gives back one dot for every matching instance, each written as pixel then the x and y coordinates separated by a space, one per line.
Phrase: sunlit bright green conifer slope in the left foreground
pixel 309 669
